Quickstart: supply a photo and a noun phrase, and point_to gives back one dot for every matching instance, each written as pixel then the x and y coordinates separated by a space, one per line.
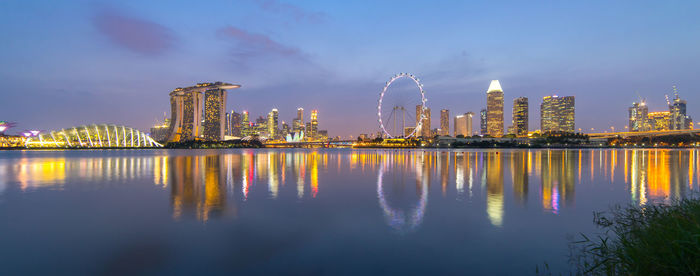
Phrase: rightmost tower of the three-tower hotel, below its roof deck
pixel 214 114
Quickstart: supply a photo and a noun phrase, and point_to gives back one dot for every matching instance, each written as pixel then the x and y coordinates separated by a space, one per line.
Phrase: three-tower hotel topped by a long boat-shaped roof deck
pixel 187 104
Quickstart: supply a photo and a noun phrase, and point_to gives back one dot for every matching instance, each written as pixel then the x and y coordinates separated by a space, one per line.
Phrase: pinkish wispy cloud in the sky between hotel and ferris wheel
pixel 250 47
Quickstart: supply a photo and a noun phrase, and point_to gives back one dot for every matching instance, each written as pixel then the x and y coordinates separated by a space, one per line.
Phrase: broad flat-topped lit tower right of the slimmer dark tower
pixel 557 114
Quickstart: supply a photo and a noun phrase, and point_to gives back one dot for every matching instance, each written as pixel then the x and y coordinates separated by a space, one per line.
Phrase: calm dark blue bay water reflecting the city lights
pixel 323 211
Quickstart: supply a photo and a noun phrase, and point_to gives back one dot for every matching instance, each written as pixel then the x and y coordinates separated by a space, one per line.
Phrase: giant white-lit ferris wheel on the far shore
pixel 394 111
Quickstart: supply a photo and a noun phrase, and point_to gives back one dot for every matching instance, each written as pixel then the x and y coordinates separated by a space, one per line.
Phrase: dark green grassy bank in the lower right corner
pixel 647 240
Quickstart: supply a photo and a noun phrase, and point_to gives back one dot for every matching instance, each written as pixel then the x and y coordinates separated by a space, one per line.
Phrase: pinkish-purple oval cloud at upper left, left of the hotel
pixel 136 34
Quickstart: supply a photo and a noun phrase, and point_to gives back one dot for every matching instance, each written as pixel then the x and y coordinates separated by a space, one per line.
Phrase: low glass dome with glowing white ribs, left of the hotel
pixel 92 136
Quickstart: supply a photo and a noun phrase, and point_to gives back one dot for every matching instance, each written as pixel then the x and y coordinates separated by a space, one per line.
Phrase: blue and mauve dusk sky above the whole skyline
pixel 70 63
